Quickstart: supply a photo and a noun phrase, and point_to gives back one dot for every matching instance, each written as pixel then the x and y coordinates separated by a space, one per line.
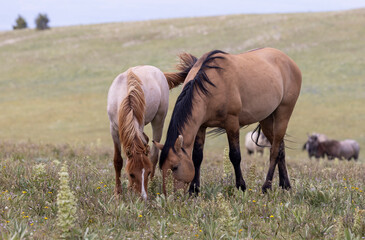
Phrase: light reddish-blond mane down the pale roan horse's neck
pixel 131 111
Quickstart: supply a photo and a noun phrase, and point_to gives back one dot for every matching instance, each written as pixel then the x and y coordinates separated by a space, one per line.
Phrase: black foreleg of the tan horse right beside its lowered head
pixel 197 159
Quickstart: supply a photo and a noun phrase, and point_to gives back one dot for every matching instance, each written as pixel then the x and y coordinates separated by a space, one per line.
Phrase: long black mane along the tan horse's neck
pixel 184 103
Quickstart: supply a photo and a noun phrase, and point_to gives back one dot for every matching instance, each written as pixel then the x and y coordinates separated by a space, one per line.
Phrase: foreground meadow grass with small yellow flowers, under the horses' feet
pixel 322 203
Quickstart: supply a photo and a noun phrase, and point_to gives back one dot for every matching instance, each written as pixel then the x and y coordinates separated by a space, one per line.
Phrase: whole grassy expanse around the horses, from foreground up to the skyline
pixel 53 88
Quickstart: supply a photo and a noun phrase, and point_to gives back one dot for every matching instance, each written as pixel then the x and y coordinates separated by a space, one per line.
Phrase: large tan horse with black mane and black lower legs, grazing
pixel 229 91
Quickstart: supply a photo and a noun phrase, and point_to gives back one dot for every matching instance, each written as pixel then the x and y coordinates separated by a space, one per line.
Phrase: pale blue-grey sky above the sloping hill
pixel 81 12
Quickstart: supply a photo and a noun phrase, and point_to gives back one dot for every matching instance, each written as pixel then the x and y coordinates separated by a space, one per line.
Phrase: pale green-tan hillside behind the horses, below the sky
pixel 53 84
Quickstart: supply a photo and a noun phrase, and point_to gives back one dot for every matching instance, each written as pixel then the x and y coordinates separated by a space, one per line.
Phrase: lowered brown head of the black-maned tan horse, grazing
pixel 180 163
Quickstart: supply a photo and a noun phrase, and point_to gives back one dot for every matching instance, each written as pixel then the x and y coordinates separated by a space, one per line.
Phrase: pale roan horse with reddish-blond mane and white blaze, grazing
pixel 137 97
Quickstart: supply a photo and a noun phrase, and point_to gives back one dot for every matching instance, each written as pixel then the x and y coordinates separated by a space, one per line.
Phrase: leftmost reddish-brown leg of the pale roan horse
pixel 118 162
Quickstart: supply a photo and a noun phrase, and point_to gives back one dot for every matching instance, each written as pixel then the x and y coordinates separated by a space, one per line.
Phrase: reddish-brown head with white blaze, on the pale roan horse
pixel 138 169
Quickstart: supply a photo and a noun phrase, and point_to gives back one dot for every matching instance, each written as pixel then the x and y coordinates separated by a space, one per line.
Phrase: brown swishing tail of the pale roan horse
pixel 187 61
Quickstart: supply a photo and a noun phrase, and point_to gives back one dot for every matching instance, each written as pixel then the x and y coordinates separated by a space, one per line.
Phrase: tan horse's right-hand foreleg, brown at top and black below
pixel 233 134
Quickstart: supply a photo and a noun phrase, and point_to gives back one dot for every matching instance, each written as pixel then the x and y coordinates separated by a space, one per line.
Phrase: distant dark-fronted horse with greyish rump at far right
pixel 346 149
